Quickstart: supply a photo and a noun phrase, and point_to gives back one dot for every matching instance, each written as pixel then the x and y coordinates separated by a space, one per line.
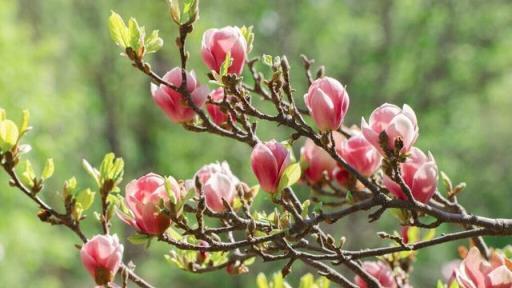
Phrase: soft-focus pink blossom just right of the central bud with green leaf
pixel 317 162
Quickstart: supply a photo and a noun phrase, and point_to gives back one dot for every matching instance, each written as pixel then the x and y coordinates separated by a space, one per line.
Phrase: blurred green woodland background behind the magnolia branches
pixel 450 60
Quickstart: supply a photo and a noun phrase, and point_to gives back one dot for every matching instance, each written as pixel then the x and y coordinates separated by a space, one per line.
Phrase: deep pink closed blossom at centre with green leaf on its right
pixel 268 161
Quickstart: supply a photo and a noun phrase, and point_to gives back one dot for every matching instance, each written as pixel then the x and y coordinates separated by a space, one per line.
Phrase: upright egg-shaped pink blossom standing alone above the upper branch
pixel 327 101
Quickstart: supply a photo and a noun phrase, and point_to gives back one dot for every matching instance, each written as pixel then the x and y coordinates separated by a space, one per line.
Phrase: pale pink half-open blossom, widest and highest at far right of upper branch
pixel 396 122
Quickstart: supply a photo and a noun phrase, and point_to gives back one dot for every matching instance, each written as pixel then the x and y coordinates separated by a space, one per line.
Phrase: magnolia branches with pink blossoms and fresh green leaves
pixel 208 220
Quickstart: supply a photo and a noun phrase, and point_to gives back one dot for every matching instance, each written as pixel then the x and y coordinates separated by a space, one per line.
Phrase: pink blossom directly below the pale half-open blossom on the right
pixel 419 173
